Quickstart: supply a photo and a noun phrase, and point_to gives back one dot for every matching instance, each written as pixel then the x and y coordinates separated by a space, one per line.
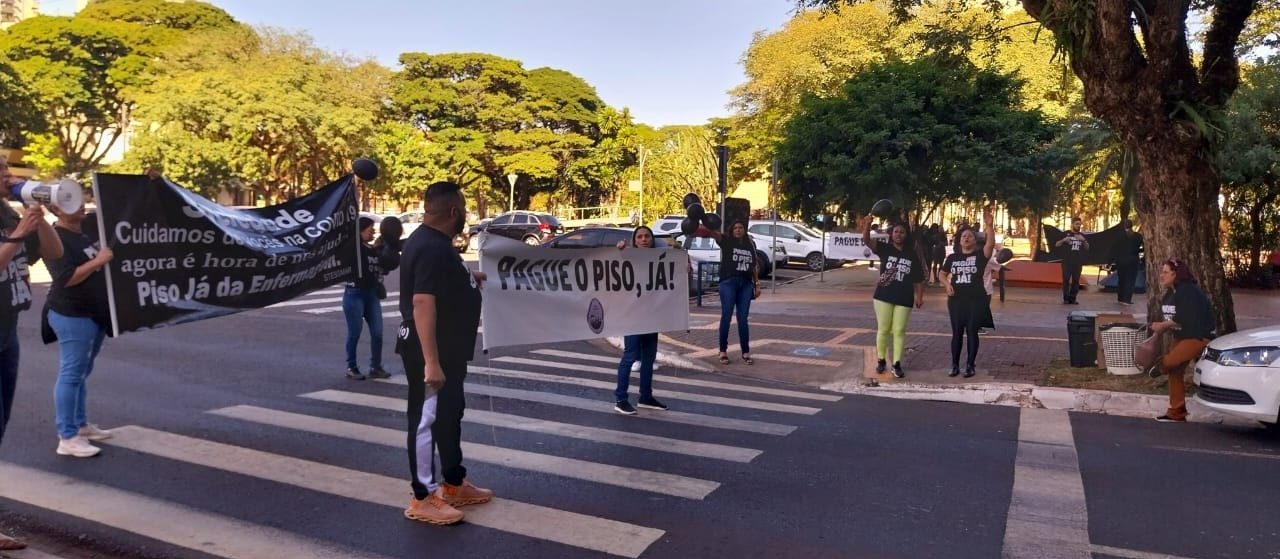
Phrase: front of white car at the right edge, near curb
pixel 1240 375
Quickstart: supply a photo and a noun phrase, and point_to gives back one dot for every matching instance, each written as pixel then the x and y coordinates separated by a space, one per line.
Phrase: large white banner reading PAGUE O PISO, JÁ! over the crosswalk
pixel 538 295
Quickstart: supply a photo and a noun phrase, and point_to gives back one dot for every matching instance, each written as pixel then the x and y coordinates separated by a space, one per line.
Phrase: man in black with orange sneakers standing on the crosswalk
pixel 441 311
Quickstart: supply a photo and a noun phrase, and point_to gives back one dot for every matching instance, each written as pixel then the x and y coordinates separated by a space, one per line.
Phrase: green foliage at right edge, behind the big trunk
pixel 1250 162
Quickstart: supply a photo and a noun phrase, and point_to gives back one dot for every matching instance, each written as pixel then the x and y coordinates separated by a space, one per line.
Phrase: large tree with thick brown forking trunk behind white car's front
pixel 1142 79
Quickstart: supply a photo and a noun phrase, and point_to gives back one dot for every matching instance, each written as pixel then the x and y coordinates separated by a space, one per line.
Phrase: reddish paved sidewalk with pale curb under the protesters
pixel 821 332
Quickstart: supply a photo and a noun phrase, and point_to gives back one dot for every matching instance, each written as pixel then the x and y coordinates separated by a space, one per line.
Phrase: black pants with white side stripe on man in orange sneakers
pixel 436 419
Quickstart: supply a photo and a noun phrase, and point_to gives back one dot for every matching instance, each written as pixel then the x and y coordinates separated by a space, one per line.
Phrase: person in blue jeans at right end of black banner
pixel 362 301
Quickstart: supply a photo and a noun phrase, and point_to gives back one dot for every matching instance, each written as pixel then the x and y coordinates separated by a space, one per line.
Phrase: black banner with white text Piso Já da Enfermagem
pixel 180 258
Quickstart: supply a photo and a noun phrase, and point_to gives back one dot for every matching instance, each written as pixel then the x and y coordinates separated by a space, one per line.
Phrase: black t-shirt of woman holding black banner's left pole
pixel 86 299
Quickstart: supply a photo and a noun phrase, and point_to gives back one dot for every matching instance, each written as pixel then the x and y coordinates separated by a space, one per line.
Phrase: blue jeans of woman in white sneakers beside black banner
pixel 79 342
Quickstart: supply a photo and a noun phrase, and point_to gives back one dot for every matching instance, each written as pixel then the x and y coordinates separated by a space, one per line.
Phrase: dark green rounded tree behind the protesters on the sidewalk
pixel 925 132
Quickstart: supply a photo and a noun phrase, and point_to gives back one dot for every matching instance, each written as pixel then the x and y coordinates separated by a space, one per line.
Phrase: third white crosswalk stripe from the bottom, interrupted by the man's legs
pixel 643 480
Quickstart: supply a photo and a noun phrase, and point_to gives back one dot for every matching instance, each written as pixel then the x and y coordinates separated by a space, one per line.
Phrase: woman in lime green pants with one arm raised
pixel 899 288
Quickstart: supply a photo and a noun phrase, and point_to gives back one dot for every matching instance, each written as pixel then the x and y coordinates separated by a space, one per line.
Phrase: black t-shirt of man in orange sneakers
pixel 431 265
